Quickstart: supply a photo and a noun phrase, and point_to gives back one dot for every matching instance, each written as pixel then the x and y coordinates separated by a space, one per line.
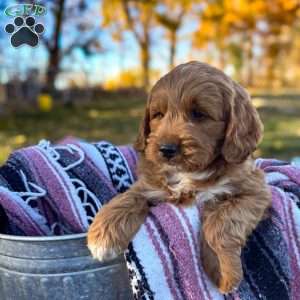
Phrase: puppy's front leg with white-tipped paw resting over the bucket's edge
pixel 117 222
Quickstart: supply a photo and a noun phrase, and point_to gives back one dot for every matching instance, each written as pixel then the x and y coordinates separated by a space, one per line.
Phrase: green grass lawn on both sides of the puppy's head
pixel 117 120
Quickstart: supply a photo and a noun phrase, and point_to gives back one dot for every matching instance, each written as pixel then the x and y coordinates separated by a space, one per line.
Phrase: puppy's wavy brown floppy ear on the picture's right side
pixel 244 129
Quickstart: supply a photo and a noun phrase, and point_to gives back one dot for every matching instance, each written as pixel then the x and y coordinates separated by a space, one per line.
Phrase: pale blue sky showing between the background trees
pixel 97 68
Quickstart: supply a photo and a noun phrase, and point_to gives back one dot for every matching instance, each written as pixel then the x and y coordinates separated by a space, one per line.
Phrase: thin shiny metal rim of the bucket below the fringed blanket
pixel 66 237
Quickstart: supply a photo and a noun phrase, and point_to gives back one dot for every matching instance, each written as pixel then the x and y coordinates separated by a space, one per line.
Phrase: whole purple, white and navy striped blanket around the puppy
pixel 57 189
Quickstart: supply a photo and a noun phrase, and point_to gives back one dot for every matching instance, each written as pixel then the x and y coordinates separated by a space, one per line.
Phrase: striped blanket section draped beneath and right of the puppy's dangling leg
pixel 164 258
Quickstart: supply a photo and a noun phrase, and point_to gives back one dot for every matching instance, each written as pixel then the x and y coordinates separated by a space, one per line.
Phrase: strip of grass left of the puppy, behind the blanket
pixel 113 119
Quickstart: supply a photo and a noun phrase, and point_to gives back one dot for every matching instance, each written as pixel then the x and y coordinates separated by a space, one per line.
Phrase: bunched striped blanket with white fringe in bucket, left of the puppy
pixel 58 189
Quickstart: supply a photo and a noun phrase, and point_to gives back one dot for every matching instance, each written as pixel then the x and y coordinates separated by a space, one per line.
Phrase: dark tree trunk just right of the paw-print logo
pixel 54 49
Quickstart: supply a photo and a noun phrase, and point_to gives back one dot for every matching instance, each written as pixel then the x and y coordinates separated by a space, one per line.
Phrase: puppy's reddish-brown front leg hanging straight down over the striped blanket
pixel 226 226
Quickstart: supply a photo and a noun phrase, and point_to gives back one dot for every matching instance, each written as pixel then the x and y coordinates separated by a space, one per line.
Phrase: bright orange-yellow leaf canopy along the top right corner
pixel 221 19
